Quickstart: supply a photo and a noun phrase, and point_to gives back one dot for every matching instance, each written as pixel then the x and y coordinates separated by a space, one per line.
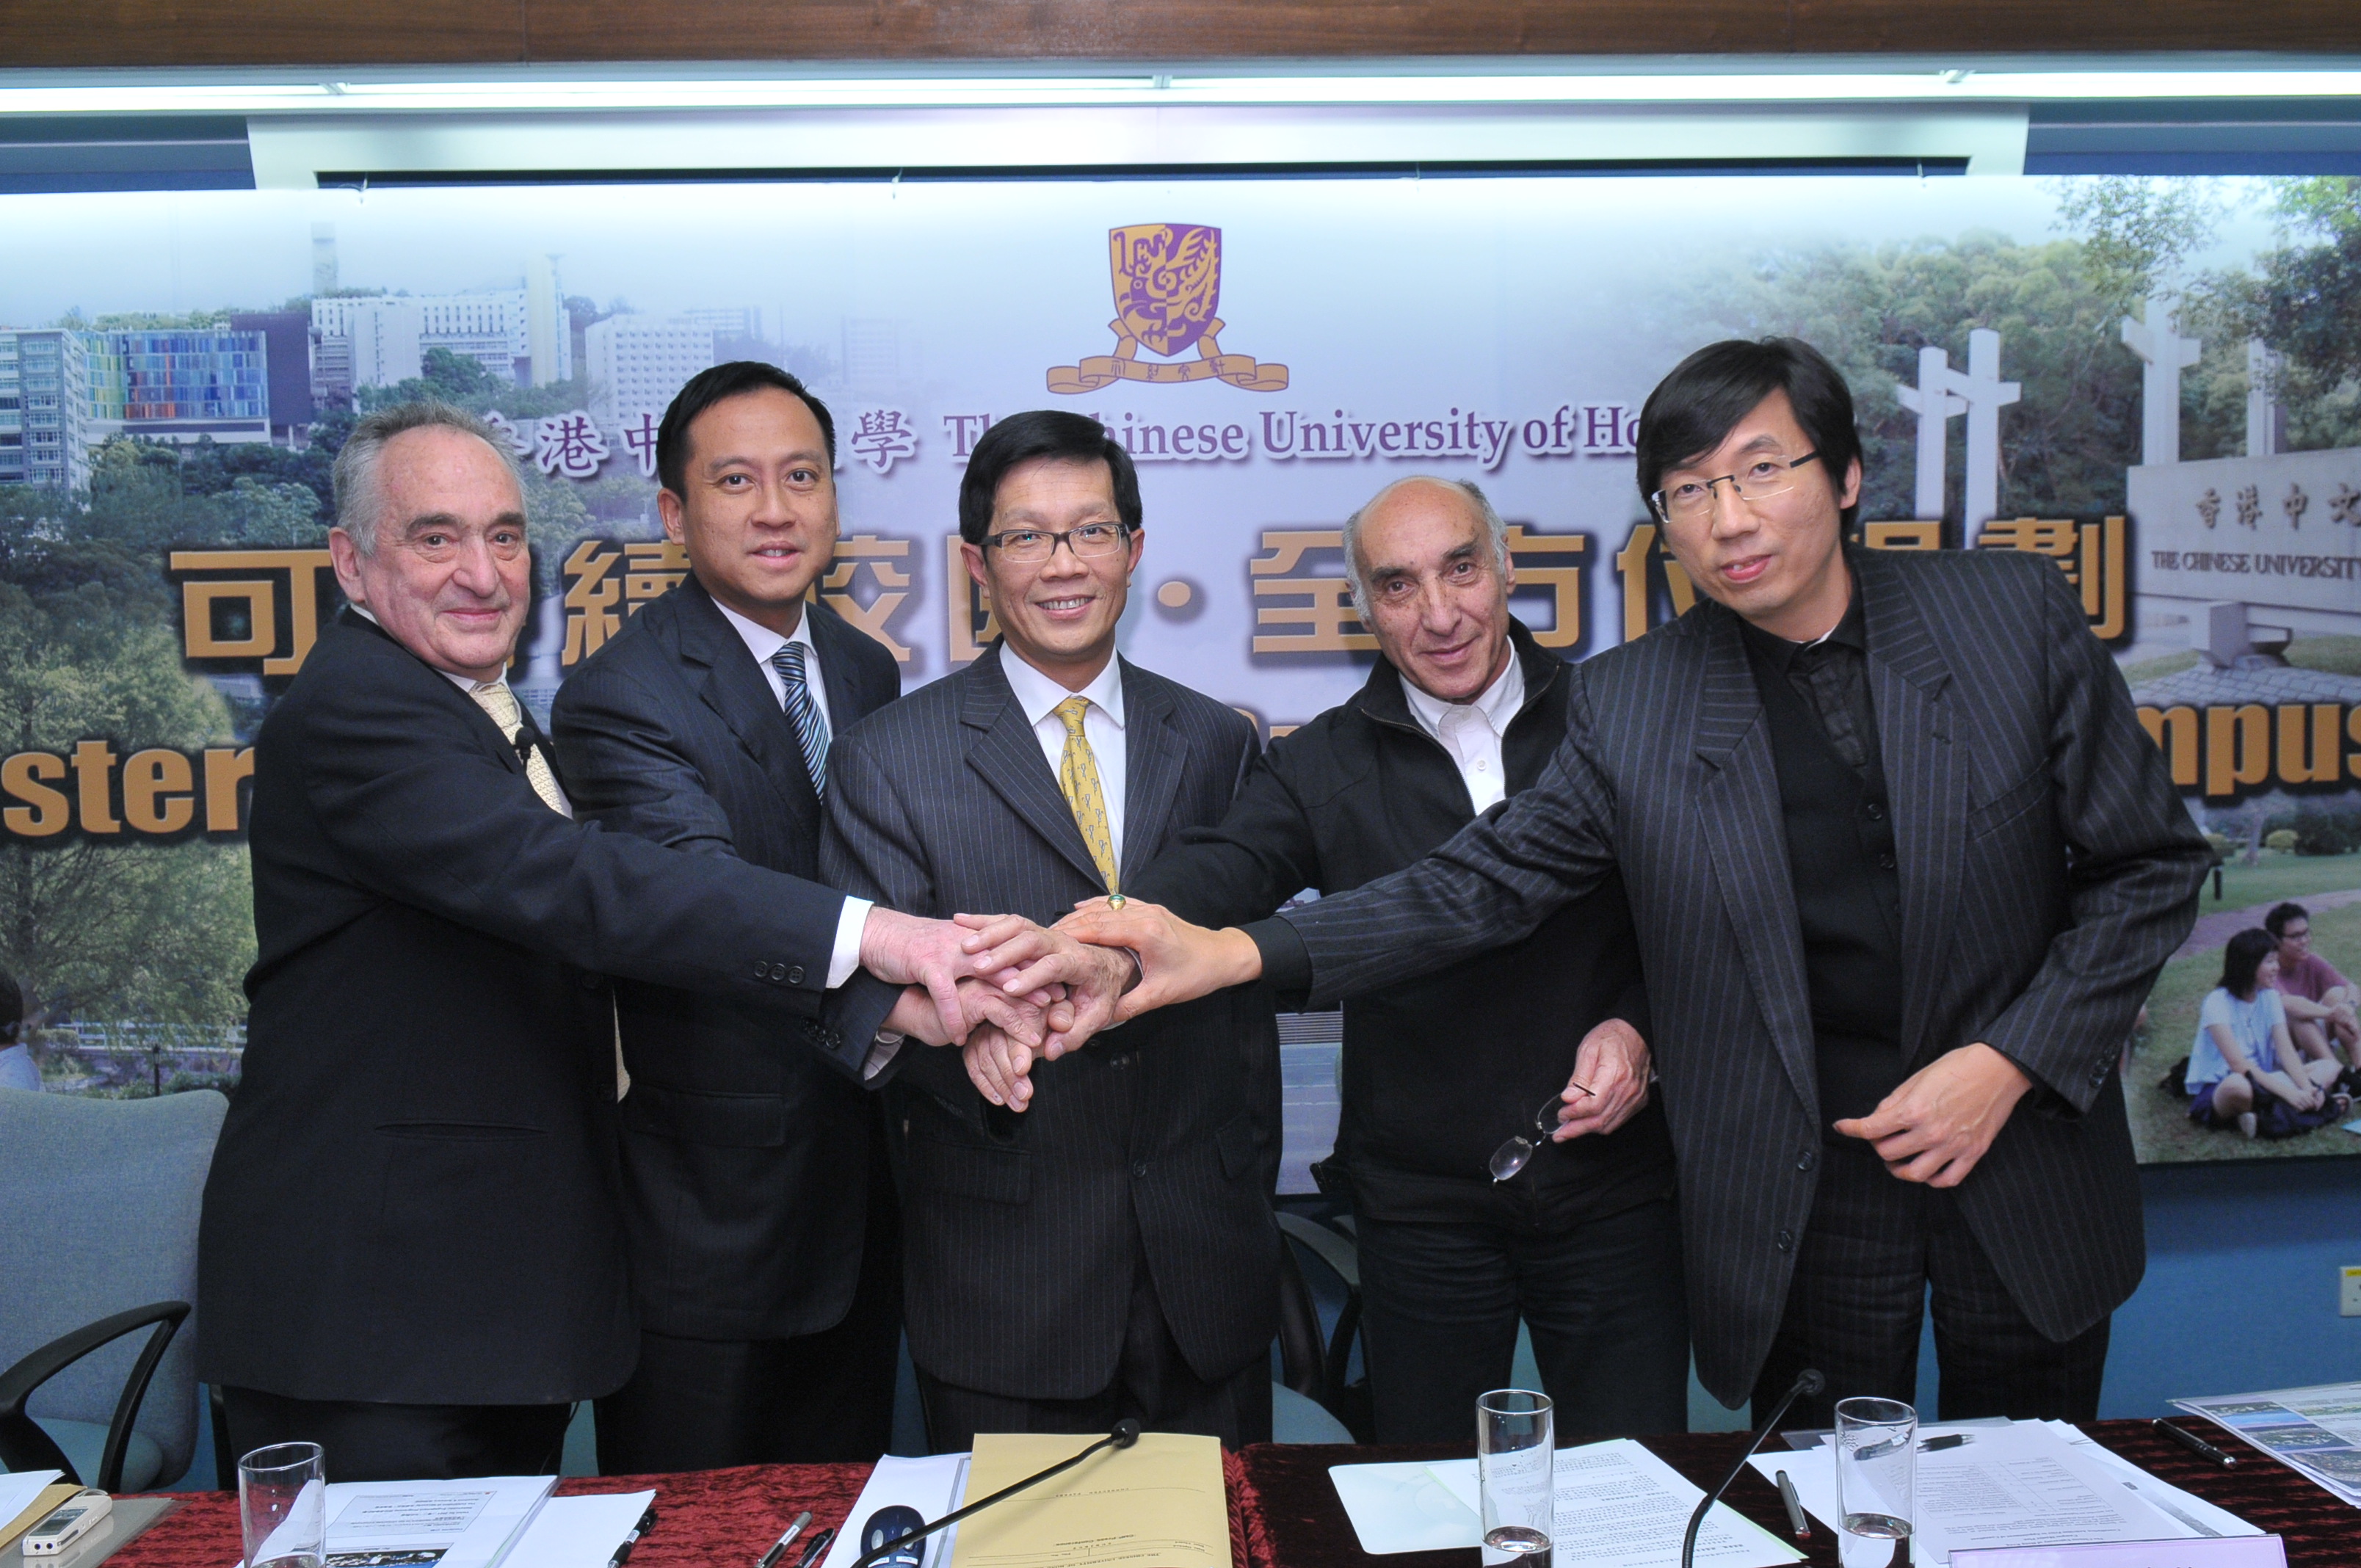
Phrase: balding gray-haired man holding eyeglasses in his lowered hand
pixel 1533 1177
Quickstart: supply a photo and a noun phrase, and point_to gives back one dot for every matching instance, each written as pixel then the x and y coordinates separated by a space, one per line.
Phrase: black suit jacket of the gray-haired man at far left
pixel 414 1196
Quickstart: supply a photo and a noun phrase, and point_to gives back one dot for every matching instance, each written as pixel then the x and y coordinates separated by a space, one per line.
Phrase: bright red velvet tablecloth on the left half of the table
pixel 714 1520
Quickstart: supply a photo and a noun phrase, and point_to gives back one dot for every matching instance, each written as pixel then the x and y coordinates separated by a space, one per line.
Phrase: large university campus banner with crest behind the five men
pixel 2150 384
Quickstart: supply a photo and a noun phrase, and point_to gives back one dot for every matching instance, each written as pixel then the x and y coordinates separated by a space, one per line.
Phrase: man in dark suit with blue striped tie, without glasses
pixel 757 1208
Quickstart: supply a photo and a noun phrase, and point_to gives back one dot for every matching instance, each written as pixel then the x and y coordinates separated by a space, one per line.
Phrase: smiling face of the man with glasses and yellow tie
pixel 1057 615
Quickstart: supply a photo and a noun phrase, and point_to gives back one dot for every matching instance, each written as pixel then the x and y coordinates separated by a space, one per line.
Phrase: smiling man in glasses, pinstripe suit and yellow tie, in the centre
pixel 1111 1250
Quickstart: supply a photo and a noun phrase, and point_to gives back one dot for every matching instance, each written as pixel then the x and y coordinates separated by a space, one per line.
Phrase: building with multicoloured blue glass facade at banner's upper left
pixel 178 386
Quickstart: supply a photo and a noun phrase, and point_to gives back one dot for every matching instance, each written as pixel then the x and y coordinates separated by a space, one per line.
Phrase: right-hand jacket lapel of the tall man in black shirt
pixel 1925 783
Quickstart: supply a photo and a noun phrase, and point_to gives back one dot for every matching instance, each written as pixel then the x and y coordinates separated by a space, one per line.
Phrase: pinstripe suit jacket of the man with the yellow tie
pixel 1158 1142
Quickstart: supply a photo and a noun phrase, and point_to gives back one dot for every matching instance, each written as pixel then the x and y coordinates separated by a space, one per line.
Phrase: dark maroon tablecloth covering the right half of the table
pixel 1293 1520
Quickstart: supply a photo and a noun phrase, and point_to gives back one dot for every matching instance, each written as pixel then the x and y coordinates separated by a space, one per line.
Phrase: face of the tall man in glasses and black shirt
pixel 1774 561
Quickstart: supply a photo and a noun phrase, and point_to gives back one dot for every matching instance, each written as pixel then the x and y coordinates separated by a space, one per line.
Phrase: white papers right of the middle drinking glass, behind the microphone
pixel 1616 1505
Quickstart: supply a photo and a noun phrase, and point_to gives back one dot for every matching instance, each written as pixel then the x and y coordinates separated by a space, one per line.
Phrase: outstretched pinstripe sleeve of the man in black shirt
pixel 1491 884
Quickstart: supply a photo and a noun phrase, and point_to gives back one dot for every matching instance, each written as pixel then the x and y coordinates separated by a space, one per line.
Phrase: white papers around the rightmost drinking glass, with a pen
pixel 2010 1487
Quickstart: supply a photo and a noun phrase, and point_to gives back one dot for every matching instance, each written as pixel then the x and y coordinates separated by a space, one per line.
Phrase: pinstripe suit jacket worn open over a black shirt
pixel 2046 875
